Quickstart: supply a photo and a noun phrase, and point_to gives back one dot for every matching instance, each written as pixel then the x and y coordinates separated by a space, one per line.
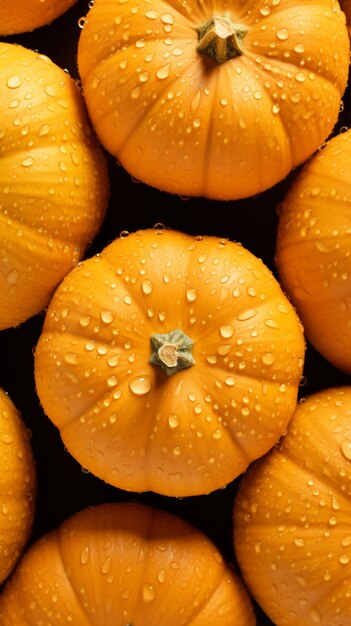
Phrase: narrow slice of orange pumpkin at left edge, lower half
pixel 17 485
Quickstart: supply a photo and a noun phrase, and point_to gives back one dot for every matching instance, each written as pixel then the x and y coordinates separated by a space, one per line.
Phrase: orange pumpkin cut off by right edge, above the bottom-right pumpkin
pixel 313 249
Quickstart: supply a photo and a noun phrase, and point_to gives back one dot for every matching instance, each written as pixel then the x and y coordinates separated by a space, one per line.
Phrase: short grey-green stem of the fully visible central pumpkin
pixel 171 351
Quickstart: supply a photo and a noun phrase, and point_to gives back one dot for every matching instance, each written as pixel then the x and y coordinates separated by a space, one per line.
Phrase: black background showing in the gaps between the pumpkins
pixel 63 487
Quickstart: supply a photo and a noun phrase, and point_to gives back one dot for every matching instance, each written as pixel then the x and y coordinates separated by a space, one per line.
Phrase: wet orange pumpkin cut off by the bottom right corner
pixel 292 517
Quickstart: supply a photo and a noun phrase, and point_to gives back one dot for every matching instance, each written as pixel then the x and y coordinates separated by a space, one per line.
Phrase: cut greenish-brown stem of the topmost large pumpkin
pixel 220 38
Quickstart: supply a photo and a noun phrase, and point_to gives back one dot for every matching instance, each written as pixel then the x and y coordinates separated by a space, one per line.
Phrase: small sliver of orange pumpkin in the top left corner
pixel 20 16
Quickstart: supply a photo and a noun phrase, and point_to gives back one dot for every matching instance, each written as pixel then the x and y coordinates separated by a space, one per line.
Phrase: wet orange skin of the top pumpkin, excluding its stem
pixel 179 121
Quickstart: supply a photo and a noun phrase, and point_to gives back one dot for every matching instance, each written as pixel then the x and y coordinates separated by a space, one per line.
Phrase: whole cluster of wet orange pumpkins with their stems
pixel 171 362
